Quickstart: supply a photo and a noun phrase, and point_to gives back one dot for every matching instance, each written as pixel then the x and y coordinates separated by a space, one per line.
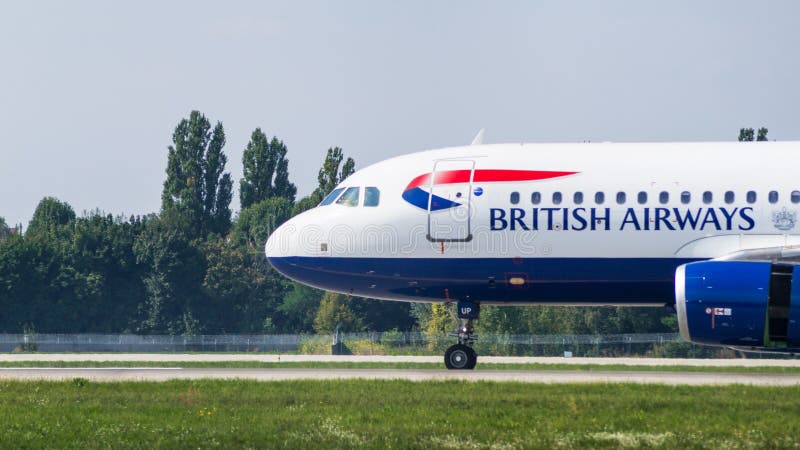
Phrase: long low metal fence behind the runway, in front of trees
pixel 391 342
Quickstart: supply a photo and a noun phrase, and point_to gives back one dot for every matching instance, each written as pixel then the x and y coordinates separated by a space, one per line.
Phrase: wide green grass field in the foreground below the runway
pixel 393 414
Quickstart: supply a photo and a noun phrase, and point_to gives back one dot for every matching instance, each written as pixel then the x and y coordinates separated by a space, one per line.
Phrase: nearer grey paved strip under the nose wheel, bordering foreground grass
pixel 524 376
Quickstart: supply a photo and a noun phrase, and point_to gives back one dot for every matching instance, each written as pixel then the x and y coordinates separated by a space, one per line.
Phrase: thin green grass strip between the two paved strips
pixel 402 365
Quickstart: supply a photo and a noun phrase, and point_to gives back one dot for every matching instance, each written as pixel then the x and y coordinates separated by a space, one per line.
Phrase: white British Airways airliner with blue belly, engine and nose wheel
pixel 709 228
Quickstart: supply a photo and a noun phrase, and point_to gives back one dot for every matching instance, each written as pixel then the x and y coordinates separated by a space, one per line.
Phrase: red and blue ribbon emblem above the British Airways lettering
pixel 419 197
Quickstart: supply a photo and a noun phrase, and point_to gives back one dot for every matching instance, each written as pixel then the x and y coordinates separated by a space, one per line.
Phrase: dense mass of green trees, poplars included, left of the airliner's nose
pixel 185 270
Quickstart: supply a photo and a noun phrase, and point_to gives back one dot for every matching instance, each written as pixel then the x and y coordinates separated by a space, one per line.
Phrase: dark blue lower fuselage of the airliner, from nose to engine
pixel 551 280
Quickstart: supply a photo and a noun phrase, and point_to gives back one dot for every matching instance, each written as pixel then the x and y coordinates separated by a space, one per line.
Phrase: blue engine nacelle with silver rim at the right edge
pixel 745 304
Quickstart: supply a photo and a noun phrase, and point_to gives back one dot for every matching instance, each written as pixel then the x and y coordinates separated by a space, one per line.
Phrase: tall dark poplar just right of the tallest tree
pixel 266 171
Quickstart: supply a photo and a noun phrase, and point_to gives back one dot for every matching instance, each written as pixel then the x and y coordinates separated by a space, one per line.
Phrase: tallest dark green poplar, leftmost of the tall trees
pixel 196 184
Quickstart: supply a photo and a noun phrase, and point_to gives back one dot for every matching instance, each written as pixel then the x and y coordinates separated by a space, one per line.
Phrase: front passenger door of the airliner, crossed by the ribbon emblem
pixel 449 201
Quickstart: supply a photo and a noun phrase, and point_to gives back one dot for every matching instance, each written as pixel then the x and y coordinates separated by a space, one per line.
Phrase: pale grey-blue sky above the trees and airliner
pixel 91 91
